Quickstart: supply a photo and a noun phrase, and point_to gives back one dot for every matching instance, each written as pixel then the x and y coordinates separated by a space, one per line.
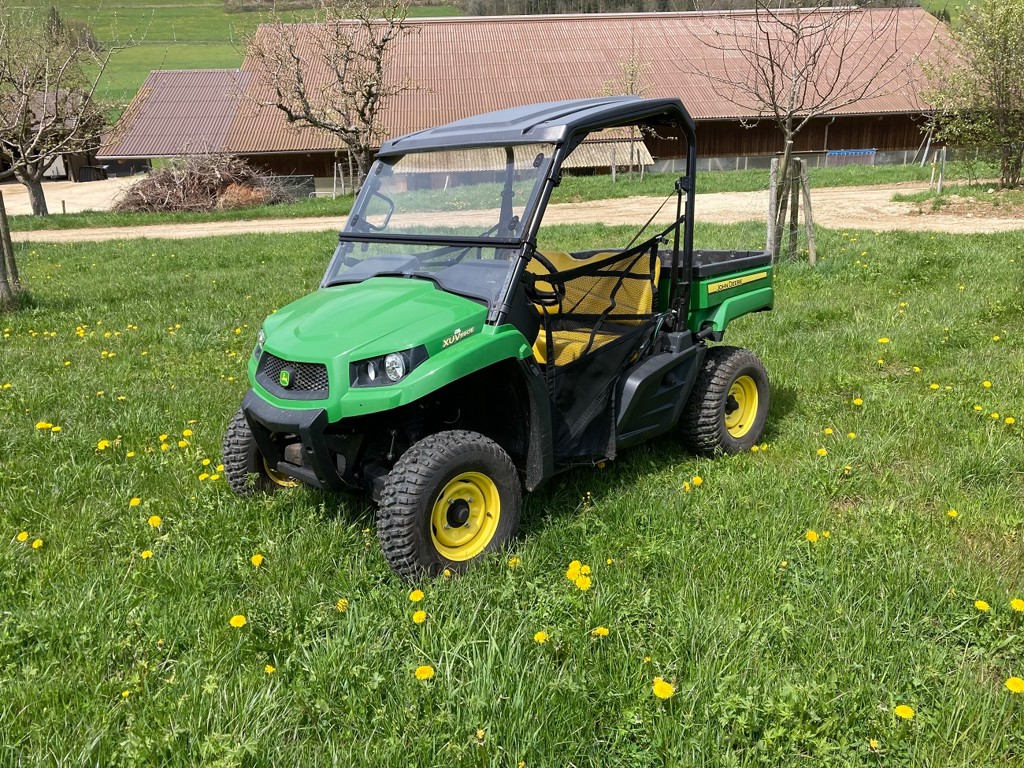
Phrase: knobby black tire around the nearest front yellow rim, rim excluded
pixel 414 485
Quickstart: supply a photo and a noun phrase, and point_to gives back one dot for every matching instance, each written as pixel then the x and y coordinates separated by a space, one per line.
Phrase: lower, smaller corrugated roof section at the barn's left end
pixel 179 112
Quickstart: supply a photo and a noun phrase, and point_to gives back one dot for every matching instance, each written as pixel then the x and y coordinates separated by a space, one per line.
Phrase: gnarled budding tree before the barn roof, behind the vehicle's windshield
pixel 332 74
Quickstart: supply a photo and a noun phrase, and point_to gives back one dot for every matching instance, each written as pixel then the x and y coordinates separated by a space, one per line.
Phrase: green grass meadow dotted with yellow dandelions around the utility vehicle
pixel 897 367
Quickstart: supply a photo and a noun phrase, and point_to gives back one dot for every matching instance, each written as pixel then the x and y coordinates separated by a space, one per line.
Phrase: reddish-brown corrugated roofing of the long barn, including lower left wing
pixel 459 67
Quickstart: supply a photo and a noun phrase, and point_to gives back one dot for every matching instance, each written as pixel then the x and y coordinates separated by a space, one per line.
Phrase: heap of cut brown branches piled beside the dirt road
pixel 203 183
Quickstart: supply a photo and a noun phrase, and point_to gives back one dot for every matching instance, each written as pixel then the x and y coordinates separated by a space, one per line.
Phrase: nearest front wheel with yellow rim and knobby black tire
pixel 450 500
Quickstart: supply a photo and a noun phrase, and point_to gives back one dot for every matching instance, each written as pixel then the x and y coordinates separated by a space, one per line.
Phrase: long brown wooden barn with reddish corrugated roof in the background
pixel 459 67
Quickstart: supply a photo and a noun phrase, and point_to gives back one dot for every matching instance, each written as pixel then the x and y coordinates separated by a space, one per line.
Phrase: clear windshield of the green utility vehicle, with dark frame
pixel 455 218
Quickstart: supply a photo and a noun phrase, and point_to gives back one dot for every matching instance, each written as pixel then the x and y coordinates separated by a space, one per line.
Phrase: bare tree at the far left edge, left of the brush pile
pixel 49 79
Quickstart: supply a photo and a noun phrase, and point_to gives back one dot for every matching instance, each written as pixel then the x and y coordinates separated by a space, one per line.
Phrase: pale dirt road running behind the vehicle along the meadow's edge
pixel 840 208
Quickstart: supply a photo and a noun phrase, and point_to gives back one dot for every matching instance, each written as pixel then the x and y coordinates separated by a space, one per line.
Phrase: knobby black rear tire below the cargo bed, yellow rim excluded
pixel 703 422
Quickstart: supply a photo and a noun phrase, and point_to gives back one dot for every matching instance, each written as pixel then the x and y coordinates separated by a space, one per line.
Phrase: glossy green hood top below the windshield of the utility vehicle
pixel 369 319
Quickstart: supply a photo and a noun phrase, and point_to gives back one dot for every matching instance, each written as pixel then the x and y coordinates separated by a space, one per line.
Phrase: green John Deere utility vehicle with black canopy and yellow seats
pixel 451 361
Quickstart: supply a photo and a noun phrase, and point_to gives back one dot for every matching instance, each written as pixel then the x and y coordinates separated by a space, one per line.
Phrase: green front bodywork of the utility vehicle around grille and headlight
pixel 342 326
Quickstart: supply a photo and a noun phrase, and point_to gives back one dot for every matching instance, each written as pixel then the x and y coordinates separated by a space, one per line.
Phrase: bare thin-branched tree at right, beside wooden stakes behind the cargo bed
pixel 792 65
